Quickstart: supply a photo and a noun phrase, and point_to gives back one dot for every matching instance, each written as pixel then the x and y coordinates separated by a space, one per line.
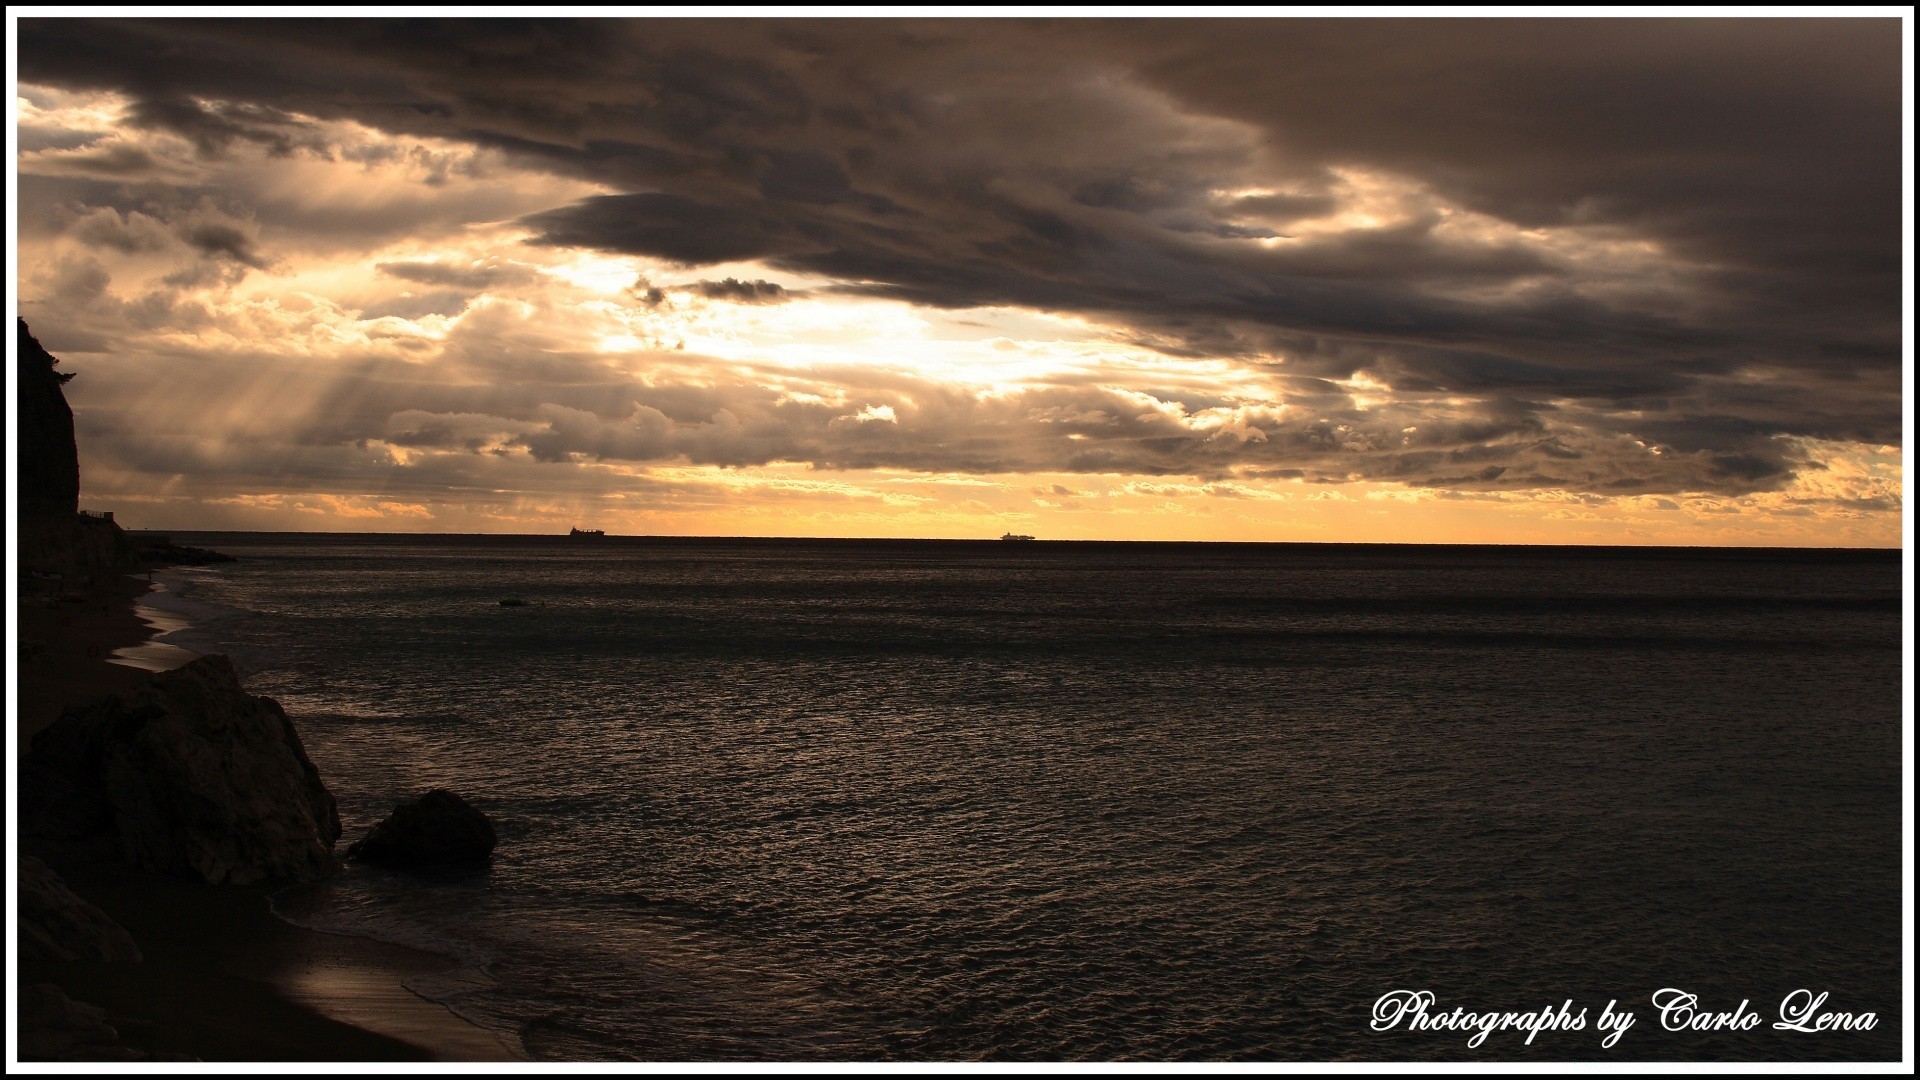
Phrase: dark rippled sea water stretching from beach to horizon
pixel 924 800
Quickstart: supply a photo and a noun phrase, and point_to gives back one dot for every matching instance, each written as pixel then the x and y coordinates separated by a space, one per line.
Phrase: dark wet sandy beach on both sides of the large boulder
pixel 224 977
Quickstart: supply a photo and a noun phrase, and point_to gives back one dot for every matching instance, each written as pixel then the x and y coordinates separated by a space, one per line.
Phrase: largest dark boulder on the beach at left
pixel 189 773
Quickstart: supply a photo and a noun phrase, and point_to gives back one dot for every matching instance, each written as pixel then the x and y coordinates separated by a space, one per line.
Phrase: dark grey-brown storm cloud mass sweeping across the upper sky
pixel 1176 180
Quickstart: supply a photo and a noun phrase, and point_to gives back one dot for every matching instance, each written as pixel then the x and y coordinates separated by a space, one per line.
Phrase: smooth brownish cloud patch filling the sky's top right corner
pixel 1700 126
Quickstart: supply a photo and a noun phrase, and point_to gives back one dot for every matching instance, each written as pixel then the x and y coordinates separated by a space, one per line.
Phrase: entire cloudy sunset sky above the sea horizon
pixel 1512 282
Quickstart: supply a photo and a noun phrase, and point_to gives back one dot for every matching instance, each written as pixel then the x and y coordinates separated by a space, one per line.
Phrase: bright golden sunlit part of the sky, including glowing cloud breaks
pixel 396 274
